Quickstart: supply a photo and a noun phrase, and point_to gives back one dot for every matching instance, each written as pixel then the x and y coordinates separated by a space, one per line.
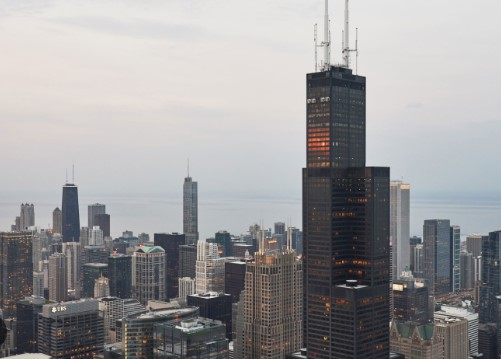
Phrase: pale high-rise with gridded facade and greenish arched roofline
pixel 148 274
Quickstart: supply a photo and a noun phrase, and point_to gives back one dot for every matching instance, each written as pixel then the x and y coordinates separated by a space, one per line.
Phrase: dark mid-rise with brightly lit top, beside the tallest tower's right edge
pixel 410 300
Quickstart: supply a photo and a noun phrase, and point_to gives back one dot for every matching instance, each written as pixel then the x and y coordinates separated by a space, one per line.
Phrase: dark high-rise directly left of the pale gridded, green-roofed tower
pixel 120 275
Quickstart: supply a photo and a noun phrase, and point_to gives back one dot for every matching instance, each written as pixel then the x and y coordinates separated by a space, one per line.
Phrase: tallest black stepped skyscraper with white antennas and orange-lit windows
pixel 345 219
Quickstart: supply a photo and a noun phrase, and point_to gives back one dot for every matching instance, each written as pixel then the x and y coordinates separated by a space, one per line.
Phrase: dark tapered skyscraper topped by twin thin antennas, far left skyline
pixel 71 215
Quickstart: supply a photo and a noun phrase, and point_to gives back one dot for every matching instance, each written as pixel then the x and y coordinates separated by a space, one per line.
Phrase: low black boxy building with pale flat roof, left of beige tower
pixel 216 306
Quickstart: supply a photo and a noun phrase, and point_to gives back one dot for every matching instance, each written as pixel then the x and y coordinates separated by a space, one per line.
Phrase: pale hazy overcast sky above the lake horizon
pixel 127 90
